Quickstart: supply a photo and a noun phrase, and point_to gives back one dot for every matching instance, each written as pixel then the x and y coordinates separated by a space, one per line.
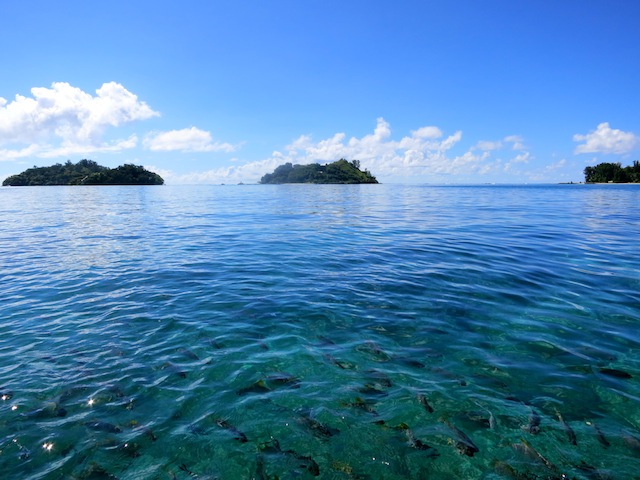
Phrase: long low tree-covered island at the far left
pixel 85 172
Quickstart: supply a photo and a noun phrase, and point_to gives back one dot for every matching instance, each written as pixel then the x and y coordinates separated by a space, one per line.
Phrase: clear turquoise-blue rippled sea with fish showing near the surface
pixel 341 332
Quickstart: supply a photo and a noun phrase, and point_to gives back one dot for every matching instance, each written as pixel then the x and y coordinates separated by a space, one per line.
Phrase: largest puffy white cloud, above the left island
pixel 65 118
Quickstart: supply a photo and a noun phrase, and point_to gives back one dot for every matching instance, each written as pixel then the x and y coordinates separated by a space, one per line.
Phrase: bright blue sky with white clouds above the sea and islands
pixel 418 91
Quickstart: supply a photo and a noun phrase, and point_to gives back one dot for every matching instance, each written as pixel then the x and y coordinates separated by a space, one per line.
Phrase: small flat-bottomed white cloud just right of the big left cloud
pixel 187 140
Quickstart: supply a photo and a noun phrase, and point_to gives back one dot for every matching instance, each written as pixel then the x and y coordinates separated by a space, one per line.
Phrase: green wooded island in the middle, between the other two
pixel 341 171
